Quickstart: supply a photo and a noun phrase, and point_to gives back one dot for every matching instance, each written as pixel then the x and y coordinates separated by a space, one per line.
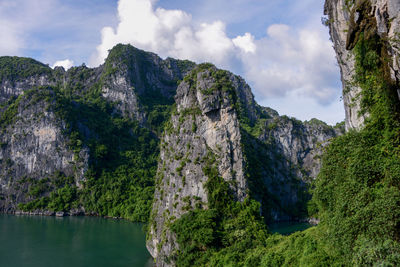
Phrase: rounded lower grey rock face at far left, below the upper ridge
pixel 34 148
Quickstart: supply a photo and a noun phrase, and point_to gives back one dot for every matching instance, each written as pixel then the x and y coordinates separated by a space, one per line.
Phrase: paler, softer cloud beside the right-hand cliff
pixel 293 60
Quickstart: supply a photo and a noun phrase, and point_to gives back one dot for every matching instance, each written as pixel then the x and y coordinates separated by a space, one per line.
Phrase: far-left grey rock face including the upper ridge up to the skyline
pixel 33 146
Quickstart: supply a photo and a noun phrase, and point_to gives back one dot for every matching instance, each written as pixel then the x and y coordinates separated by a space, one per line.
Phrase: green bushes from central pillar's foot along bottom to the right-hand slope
pixel 232 233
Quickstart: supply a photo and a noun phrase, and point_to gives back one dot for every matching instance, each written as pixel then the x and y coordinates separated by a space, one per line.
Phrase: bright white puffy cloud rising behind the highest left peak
pixel 168 33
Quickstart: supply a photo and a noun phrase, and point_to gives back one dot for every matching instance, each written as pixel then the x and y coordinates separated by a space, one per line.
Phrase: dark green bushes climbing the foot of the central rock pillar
pixel 221 234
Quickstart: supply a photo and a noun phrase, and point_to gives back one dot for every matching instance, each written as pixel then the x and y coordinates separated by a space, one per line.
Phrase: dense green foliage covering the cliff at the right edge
pixel 358 190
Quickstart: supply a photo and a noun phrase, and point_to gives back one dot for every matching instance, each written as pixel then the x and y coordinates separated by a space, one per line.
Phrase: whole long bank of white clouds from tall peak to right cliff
pixel 285 61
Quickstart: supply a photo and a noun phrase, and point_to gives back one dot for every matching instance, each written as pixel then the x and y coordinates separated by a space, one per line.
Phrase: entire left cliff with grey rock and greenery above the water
pixel 59 132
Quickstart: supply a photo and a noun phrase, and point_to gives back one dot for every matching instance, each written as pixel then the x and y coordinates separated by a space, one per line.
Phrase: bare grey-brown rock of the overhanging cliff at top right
pixel 348 22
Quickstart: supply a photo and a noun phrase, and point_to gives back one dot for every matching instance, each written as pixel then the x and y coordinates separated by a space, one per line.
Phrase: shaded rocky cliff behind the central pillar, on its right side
pixel 283 156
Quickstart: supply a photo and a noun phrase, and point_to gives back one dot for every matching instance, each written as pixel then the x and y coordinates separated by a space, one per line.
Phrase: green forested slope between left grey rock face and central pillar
pixel 123 157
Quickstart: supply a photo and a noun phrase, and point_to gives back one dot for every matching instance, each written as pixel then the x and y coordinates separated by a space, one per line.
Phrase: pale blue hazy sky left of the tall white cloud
pixel 51 29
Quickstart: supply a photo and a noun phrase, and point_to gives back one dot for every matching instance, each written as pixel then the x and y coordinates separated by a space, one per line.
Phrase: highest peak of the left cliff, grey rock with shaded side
pixel 136 80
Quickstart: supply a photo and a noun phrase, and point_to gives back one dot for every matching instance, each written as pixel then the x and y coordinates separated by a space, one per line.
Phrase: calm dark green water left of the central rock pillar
pixel 40 241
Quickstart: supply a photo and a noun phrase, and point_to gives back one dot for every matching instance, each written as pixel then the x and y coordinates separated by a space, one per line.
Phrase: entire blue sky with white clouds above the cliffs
pixel 280 47
